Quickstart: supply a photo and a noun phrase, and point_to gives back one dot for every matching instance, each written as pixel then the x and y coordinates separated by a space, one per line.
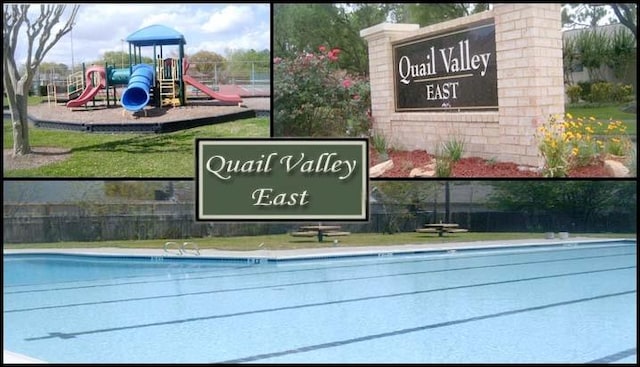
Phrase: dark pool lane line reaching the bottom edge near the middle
pixel 338 343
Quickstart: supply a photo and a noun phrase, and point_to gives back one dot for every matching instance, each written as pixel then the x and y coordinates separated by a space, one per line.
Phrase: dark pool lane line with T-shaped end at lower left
pixel 69 335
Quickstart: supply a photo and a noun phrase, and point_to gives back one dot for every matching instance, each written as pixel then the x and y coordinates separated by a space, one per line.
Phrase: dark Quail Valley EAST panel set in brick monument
pixel 454 71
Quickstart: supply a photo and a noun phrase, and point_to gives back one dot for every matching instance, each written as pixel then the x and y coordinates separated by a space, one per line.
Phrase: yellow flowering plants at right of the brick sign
pixel 573 142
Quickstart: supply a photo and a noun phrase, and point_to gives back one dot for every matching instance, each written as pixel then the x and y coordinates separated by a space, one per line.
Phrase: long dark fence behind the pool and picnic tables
pixel 170 221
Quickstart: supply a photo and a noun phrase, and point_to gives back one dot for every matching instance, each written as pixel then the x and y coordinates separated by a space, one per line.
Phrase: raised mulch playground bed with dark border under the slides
pixel 100 118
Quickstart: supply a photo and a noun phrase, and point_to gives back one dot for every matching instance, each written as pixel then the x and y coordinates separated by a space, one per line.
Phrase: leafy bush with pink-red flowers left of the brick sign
pixel 313 97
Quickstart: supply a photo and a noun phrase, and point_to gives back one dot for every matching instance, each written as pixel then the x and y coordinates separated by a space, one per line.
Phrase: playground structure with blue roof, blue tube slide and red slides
pixel 160 84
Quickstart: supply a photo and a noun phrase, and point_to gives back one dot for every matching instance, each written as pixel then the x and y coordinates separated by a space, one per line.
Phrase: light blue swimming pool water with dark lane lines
pixel 560 304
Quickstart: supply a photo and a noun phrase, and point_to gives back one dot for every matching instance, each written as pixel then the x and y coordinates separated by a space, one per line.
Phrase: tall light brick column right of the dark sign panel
pixel 530 81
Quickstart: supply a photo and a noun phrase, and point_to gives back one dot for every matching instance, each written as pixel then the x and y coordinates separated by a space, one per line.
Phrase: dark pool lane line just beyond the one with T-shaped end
pixel 282 285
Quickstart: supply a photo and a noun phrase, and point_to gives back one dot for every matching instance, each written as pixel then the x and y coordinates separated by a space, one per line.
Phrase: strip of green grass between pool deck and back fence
pixel 287 242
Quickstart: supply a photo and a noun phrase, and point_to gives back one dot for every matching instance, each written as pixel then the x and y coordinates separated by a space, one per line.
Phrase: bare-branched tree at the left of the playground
pixel 39 41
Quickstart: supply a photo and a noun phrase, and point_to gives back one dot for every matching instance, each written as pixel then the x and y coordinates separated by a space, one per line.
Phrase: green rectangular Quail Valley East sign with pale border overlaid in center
pixel 282 179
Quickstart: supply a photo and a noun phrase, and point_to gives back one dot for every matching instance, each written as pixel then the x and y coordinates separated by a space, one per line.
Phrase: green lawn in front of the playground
pixel 129 155
